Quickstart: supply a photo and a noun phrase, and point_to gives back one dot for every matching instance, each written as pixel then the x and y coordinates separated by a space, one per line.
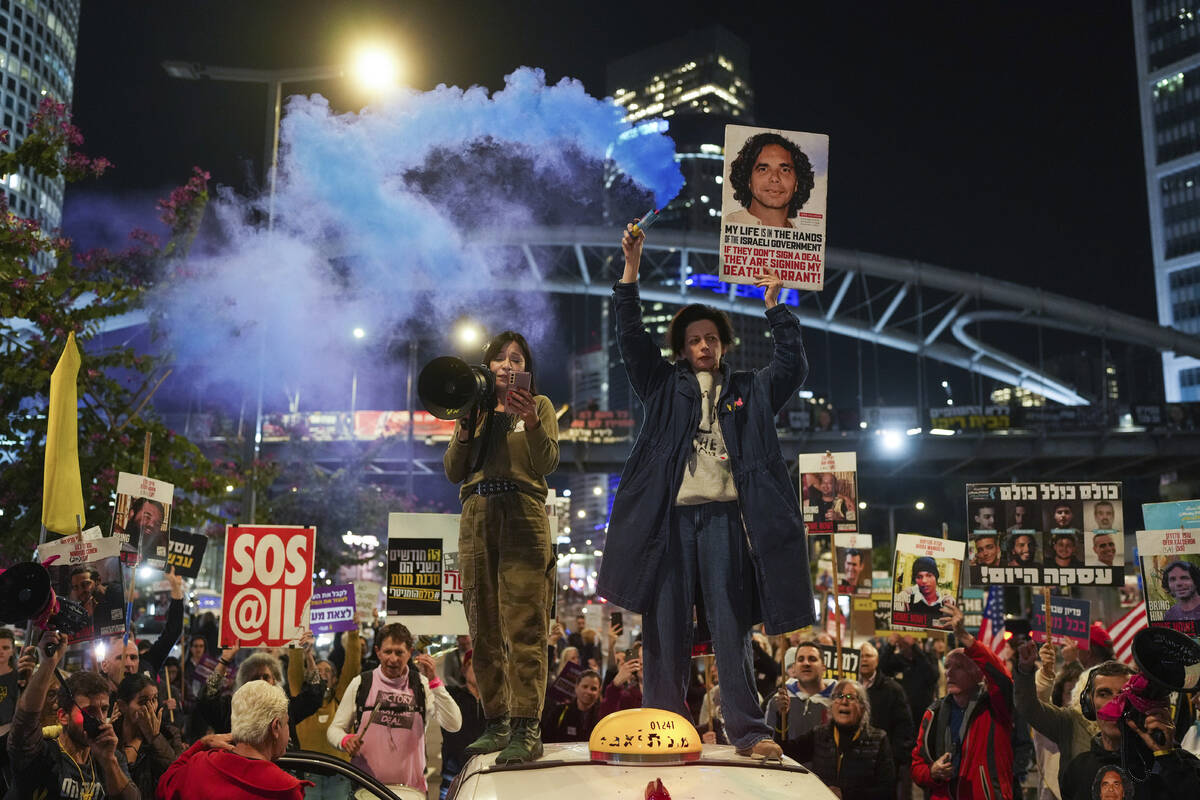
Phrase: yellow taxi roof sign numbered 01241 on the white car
pixel 645 736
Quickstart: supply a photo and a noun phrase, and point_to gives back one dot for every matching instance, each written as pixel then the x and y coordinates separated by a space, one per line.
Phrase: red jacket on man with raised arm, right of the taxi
pixel 986 768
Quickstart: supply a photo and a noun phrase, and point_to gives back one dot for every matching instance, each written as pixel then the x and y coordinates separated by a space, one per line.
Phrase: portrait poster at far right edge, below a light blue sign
pixel 1171 572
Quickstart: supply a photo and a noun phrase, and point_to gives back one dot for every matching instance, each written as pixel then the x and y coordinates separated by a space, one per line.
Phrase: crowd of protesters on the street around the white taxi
pixel 922 717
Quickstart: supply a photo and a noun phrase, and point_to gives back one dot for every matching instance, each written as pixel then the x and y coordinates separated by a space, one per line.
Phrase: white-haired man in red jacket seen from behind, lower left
pixel 260 736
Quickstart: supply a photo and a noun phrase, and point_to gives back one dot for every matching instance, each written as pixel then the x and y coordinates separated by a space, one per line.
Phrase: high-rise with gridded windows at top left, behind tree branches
pixel 38 57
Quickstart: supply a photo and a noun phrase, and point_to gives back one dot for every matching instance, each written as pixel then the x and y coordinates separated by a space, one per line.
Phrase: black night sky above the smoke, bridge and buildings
pixel 993 139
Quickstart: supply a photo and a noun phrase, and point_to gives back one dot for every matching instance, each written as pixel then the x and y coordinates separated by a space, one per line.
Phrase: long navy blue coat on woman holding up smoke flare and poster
pixel 640 522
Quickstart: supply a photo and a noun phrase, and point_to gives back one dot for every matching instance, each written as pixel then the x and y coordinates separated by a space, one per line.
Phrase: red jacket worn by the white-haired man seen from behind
pixel 203 774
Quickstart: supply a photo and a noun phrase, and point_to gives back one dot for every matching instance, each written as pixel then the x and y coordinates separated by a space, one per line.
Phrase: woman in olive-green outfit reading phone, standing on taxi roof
pixel 505 549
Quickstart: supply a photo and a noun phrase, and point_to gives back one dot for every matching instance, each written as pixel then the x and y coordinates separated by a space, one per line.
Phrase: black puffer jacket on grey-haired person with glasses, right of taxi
pixel 860 763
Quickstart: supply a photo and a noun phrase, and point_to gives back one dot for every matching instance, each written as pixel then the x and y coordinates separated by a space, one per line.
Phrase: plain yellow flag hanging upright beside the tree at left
pixel 62 488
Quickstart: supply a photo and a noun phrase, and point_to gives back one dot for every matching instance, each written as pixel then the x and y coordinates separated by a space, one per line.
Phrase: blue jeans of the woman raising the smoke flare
pixel 707 546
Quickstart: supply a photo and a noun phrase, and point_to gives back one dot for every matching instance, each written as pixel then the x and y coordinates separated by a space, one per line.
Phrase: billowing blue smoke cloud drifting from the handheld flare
pixel 359 243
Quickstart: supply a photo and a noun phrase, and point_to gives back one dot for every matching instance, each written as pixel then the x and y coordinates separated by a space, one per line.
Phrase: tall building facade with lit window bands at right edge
pixel 1167 38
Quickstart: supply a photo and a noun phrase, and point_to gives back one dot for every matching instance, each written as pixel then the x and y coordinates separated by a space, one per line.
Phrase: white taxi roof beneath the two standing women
pixel 568 771
